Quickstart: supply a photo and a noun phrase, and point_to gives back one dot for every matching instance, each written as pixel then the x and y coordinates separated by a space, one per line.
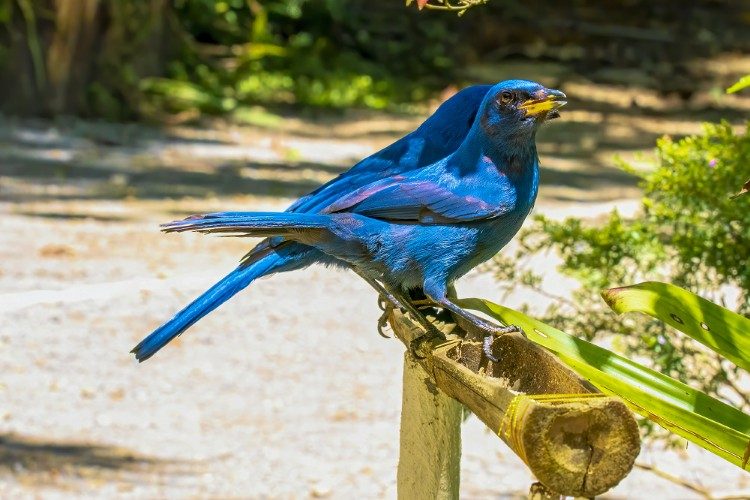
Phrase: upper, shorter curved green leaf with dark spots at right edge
pixel 719 329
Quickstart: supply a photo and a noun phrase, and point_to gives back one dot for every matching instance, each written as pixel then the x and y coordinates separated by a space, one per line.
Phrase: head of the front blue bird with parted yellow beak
pixel 514 109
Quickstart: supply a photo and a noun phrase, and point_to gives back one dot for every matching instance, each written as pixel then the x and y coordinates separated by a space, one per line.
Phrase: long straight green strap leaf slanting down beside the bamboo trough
pixel 699 418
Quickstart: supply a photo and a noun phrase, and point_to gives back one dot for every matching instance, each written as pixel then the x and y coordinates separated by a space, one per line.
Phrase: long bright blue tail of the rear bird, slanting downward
pixel 212 298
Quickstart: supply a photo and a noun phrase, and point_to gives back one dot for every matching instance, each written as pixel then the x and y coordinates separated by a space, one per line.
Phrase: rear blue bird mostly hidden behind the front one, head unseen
pixel 436 138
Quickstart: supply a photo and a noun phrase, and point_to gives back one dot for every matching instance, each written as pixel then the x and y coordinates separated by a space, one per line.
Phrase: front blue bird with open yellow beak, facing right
pixel 420 228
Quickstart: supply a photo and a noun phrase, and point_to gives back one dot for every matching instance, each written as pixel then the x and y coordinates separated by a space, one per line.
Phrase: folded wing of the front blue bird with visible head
pixel 423 201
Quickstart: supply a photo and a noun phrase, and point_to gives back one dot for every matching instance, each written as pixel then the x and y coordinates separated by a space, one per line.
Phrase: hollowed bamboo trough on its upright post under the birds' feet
pixel 576 441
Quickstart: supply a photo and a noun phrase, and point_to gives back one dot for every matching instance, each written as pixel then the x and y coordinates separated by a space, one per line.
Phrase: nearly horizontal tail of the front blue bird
pixel 250 223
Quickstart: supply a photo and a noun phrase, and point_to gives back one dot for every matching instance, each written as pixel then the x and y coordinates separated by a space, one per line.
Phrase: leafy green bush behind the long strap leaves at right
pixel 689 232
